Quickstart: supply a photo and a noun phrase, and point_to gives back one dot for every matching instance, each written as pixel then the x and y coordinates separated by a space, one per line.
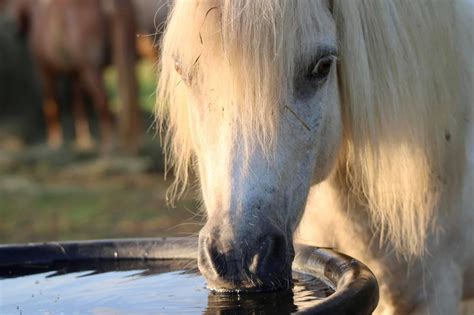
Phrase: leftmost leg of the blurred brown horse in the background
pixel 51 110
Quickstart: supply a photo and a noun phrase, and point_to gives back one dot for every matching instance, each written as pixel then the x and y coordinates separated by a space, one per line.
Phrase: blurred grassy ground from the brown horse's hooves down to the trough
pixel 97 198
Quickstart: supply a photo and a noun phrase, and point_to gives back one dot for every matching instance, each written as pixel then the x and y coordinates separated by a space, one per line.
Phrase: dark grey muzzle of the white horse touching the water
pixel 248 260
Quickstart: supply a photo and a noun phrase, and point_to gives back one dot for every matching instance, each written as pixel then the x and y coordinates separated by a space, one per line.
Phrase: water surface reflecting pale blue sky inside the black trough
pixel 139 287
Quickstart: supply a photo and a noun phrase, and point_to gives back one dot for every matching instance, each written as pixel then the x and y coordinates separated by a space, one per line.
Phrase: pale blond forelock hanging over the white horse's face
pixel 239 55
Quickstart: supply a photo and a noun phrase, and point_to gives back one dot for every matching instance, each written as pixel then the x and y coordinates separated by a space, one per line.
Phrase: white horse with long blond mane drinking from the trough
pixel 350 119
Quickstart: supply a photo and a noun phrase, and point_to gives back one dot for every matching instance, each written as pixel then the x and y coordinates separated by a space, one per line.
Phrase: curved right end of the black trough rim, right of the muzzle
pixel 355 283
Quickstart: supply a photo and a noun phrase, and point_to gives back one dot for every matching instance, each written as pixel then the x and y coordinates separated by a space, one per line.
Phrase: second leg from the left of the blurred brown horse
pixel 84 140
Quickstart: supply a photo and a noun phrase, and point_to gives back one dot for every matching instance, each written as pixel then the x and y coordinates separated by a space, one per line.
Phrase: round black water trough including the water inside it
pixel 348 286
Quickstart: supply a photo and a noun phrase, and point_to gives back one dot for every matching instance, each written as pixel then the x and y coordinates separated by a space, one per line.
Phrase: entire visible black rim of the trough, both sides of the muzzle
pixel 353 282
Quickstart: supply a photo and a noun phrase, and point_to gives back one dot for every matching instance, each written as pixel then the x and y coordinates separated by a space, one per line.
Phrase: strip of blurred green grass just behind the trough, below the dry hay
pixel 108 208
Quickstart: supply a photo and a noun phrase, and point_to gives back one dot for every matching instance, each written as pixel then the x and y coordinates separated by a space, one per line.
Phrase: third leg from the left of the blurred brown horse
pixel 95 86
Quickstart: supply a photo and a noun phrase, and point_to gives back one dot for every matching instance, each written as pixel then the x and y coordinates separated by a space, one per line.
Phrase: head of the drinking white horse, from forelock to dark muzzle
pixel 263 124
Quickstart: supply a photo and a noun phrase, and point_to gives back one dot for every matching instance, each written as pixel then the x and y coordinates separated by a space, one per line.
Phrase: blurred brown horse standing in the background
pixel 75 38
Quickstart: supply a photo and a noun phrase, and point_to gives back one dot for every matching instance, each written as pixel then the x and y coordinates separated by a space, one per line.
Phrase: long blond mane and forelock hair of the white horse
pixel 403 92
